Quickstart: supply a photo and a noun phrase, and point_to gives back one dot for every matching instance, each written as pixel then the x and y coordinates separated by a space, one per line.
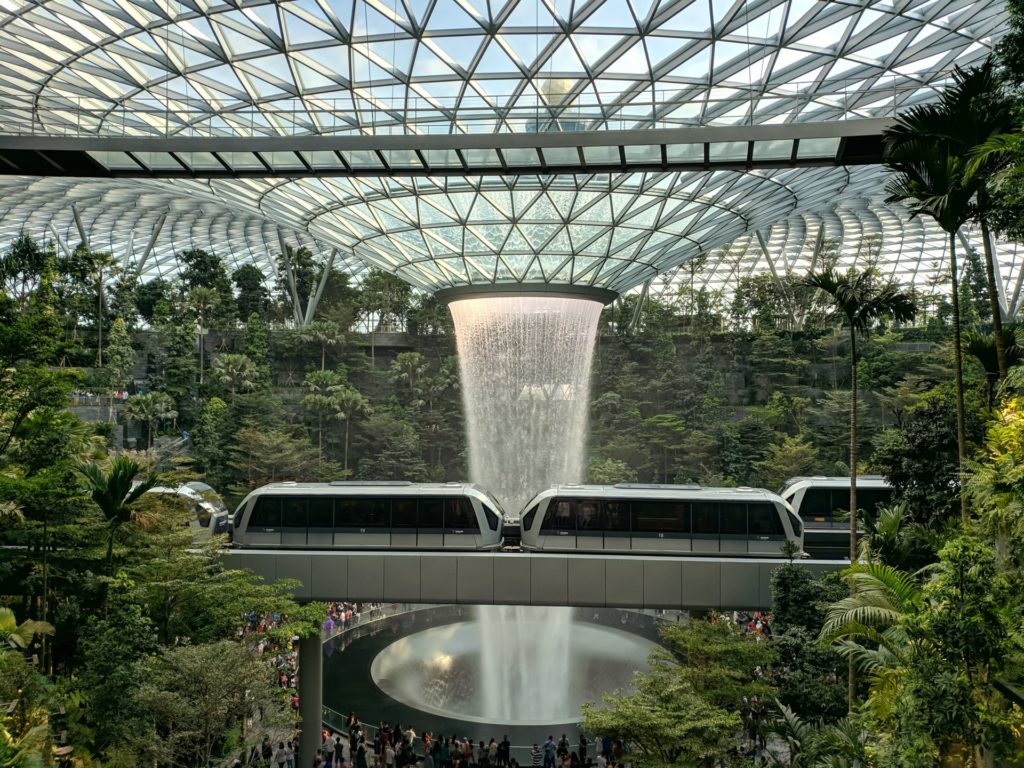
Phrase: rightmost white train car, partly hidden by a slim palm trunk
pixel 824 505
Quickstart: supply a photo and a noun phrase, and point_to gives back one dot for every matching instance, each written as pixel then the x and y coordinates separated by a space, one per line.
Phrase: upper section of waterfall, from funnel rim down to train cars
pixel 526 381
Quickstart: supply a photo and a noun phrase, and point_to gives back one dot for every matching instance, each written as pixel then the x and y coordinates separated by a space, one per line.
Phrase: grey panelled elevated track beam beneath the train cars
pixel 523 579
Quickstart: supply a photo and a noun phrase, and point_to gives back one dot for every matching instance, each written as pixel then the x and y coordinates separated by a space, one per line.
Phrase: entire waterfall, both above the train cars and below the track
pixel 526 368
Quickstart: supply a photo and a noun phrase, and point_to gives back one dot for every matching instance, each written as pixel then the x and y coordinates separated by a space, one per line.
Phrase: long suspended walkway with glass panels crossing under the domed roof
pixel 728 148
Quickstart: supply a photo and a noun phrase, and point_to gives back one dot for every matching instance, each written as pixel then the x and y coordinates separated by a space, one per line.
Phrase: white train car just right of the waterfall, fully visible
pixel 663 520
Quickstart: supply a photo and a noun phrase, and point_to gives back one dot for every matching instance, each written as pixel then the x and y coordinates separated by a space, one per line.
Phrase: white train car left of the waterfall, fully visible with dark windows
pixel 368 516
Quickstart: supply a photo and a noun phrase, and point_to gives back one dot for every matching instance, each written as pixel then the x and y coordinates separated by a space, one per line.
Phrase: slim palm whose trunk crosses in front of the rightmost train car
pixel 860 304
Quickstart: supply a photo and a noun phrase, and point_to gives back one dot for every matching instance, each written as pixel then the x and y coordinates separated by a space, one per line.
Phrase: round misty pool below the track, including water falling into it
pixel 516 666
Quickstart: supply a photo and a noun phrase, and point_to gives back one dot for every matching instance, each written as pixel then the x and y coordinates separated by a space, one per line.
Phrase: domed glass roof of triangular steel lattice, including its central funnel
pixel 378 68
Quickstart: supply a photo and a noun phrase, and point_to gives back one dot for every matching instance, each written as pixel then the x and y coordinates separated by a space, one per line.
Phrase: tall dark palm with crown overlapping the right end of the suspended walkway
pixel 931 178
